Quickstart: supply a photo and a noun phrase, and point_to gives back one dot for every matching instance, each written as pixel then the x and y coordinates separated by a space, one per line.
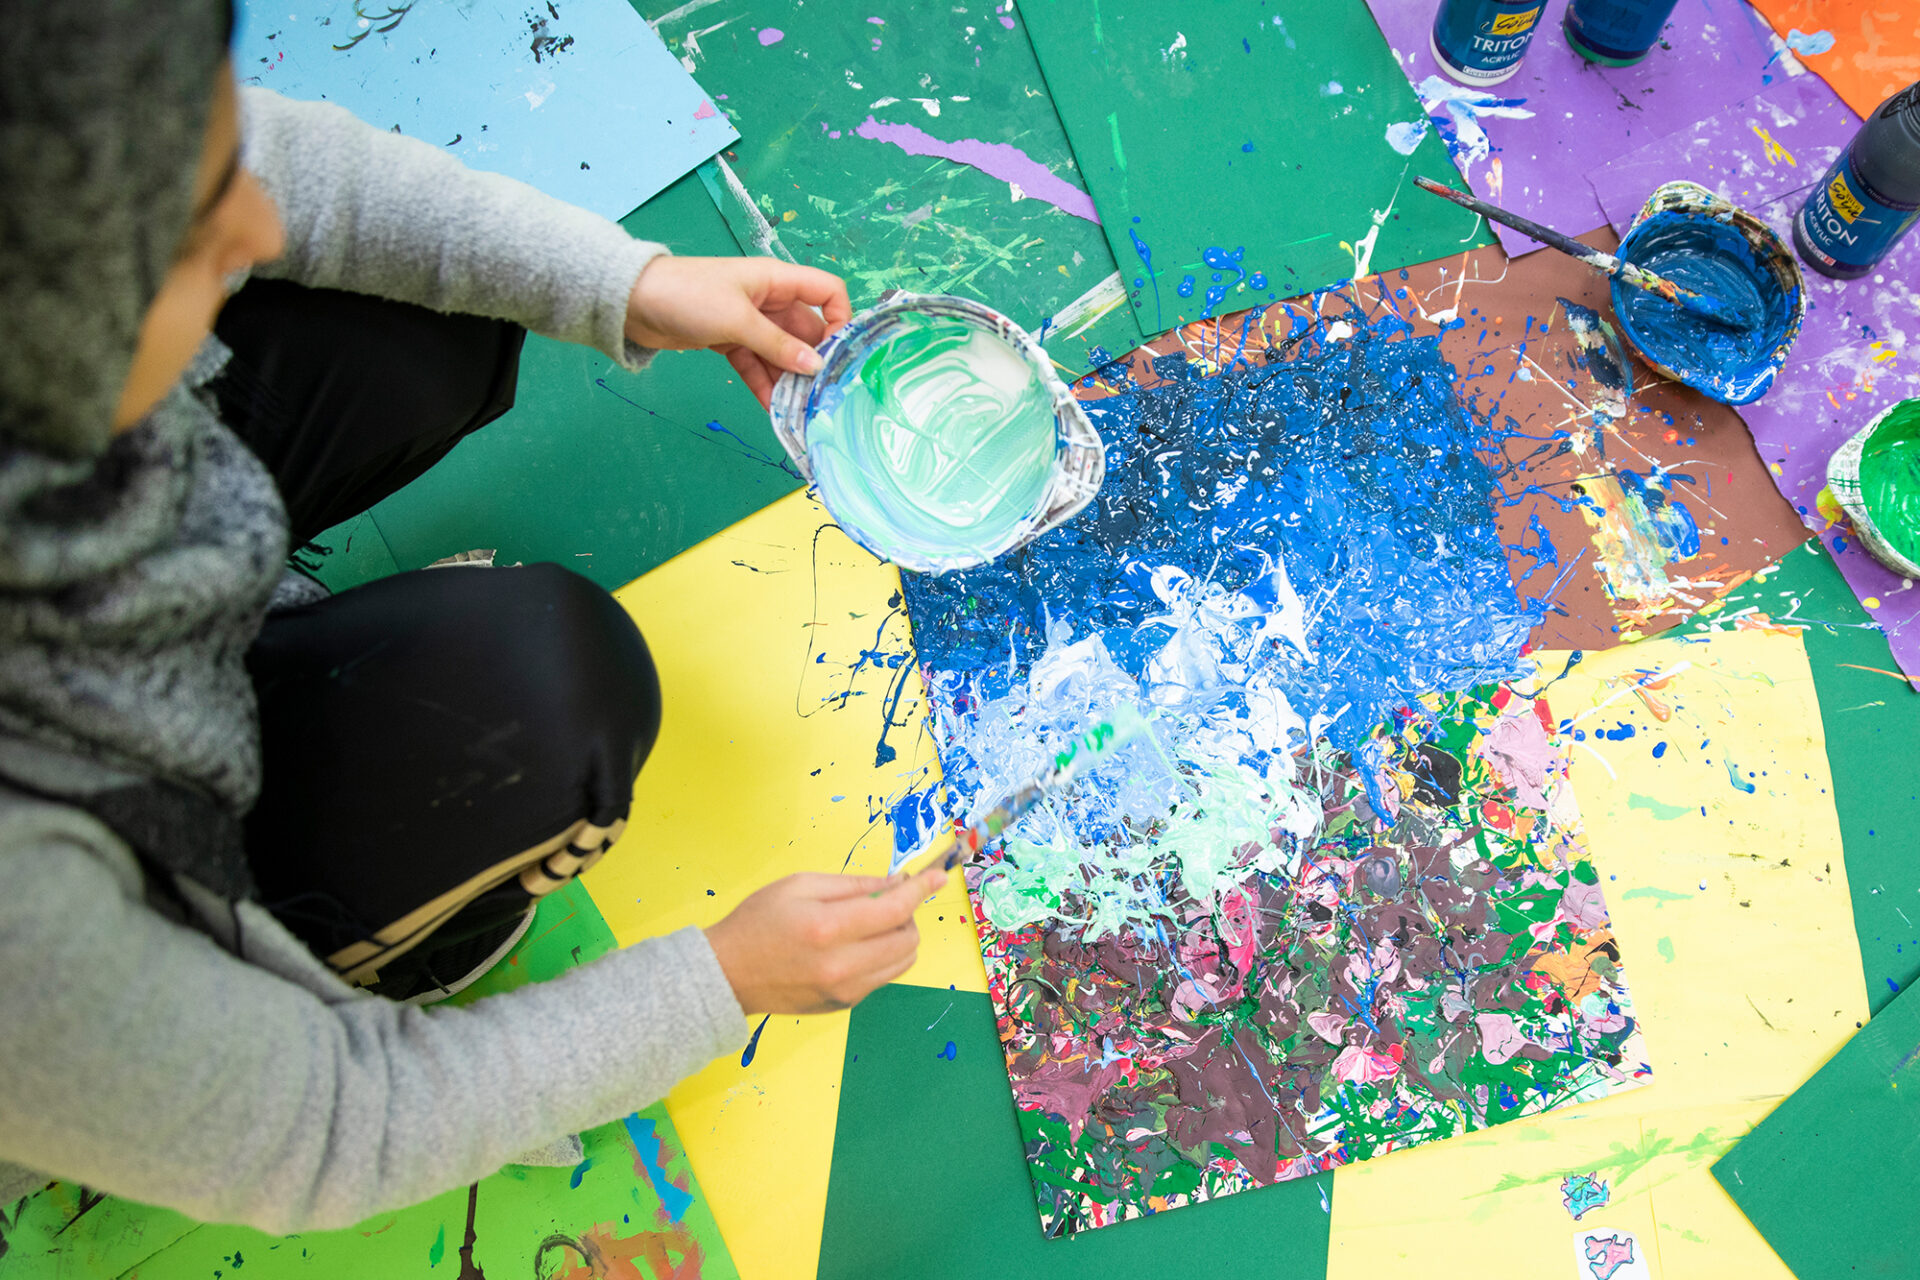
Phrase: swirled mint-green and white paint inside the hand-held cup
pixel 938 444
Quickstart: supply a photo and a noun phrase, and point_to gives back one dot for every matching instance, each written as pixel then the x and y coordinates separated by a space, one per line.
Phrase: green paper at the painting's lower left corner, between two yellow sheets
pixel 930 1173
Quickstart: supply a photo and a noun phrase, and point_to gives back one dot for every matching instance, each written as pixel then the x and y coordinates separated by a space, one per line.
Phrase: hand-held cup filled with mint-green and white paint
pixel 938 435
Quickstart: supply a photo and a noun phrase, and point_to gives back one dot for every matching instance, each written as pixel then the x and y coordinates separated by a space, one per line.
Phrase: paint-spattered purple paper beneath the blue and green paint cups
pixel 1860 348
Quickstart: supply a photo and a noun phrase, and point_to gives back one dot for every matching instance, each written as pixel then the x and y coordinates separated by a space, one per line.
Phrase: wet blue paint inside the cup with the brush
pixel 1710 256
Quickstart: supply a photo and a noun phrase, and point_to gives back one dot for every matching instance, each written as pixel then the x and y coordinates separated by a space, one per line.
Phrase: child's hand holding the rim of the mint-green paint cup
pixel 761 314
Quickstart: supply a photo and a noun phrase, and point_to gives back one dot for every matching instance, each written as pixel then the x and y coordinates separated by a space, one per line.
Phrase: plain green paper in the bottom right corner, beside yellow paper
pixel 1833 1175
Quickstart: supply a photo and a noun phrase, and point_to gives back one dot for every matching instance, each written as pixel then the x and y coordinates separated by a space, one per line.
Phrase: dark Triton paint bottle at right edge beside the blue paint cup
pixel 1869 199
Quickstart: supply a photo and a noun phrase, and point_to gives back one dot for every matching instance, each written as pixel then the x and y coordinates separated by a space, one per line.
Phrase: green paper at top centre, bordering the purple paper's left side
pixel 1241 151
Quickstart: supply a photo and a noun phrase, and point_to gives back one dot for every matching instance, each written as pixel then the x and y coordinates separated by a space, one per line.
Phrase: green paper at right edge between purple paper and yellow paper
pixel 1873 723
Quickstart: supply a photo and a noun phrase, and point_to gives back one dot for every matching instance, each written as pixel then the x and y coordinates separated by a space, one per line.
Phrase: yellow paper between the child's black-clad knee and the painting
pixel 767 767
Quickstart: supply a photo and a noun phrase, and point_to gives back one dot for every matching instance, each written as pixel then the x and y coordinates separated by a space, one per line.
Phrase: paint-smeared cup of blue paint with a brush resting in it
pixel 1704 243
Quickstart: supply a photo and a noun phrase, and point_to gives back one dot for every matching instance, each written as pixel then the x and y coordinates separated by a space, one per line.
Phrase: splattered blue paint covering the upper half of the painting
pixel 1347 463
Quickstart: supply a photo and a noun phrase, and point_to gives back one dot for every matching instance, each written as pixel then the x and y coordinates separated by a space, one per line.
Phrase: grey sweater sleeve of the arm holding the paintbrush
pixel 143 1060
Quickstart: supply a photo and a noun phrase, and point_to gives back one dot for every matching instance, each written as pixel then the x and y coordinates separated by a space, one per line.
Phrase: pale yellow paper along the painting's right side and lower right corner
pixel 1737 934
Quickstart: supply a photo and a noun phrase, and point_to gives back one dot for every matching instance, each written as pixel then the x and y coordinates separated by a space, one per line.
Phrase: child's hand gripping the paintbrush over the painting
pixel 815 943
